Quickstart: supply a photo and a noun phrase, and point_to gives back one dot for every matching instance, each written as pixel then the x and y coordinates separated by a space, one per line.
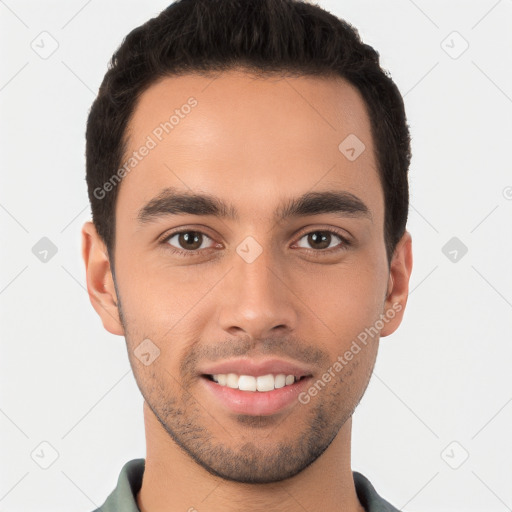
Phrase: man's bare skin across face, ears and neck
pixel 254 143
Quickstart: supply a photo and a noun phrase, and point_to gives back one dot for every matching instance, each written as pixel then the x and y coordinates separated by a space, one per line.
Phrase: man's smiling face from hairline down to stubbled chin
pixel 255 286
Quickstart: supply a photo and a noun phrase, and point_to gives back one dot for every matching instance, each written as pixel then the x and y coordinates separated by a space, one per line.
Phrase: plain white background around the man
pixel 444 376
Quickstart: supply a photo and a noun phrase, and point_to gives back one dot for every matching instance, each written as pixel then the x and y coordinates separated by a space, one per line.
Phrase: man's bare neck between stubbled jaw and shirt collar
pixel 174 482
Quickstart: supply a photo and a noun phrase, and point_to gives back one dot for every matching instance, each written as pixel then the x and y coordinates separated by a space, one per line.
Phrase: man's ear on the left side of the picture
pixel 100 283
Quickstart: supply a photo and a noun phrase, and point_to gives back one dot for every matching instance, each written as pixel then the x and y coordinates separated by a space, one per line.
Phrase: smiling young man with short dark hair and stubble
pixel 247 169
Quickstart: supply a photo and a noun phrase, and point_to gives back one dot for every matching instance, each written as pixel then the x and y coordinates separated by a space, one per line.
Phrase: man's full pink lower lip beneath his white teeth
pixel 256 402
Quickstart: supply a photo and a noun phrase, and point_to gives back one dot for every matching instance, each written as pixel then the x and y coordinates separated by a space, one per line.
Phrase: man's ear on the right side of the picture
pixel 398 285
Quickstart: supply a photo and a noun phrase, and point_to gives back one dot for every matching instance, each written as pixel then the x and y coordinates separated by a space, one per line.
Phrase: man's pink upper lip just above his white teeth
pixel 256 367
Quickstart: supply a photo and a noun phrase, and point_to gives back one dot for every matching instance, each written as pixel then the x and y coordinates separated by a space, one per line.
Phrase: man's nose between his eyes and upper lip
pixel 256 299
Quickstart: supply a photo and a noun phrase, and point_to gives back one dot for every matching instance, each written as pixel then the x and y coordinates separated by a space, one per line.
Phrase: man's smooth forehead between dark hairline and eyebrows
pixel 250 139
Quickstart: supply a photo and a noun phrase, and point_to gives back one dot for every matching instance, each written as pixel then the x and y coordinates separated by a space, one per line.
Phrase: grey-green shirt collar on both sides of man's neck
pixel 123 497
